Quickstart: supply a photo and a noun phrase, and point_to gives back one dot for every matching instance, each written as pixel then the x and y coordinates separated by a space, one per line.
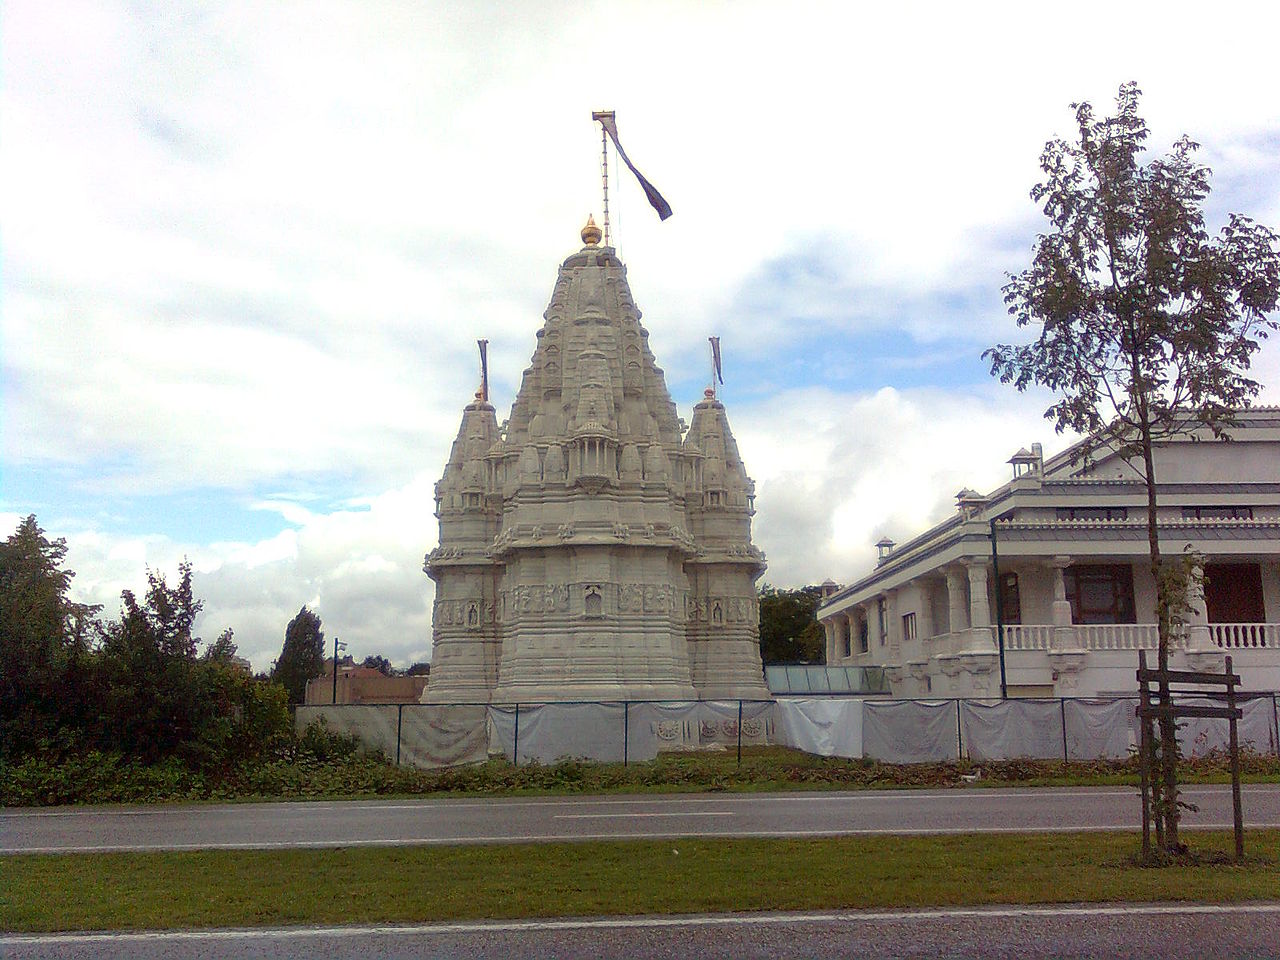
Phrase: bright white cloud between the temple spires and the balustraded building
pixel 836 472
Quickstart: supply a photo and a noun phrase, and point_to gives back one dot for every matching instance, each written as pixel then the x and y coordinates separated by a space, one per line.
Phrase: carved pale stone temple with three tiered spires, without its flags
pixel 592 548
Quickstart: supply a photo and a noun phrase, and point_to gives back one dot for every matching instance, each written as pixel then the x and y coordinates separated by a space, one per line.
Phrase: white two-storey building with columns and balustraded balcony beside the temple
pixel 1076 593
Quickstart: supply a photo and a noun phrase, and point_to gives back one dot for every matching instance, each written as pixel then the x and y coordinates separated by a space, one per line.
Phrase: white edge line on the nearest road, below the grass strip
pixel 651 922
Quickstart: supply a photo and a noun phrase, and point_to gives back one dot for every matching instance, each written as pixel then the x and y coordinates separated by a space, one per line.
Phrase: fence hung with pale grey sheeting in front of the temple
pixel 895 732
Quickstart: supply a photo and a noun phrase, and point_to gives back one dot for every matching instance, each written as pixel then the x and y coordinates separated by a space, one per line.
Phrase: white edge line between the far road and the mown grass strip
pixel 578 838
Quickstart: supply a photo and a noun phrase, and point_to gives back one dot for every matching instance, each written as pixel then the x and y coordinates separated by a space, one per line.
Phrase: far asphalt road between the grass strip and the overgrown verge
pixel 396 822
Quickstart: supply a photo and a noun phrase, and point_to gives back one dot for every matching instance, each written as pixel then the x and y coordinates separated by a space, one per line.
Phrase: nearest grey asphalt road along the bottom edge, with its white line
pixel 1124 932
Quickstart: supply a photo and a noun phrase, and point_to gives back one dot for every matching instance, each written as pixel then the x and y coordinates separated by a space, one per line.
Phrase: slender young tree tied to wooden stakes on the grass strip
pixel 1148 323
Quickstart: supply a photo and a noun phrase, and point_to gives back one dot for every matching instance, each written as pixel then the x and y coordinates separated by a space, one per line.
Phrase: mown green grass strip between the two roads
pixel 412 885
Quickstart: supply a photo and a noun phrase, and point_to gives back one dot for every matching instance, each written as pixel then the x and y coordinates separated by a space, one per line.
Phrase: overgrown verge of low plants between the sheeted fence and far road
pixel 353 774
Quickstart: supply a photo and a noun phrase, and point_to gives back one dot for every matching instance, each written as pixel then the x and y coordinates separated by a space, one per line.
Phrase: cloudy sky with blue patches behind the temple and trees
pixel 246 250
